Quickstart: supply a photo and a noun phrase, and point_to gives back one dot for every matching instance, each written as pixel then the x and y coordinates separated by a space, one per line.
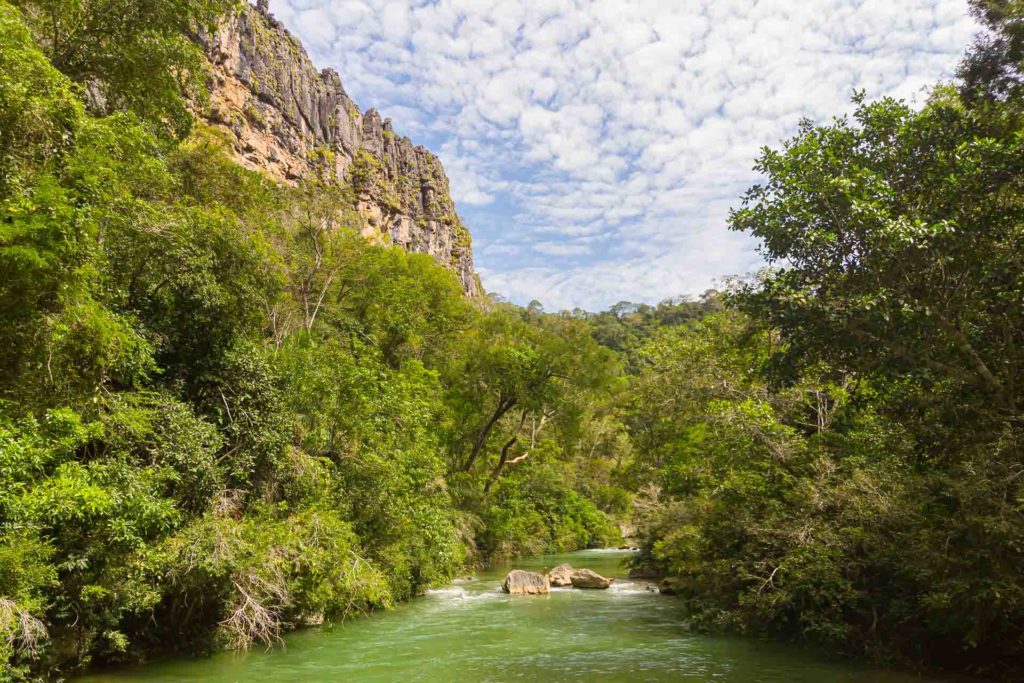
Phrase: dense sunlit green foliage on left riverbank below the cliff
pixel 224 413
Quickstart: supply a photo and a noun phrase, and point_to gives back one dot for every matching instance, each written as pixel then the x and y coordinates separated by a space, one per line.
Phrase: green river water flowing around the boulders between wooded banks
pixel 472 632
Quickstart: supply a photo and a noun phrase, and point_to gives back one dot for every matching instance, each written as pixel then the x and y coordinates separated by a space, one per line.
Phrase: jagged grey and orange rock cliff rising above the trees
pixel 292 121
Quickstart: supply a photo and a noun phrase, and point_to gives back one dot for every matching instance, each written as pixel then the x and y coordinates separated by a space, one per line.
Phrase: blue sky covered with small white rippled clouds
pixel 595 148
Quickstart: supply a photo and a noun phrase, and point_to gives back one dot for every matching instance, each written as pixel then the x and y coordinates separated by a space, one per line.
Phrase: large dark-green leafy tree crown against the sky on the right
pixel 901 238
